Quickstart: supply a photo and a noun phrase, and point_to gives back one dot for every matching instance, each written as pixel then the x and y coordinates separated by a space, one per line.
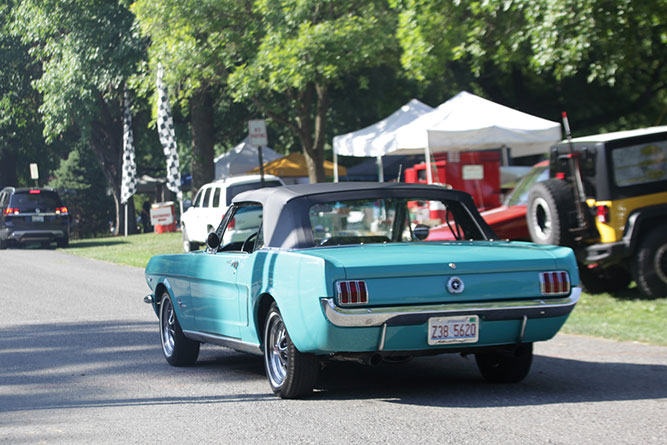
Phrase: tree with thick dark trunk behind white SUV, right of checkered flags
pixel 197 42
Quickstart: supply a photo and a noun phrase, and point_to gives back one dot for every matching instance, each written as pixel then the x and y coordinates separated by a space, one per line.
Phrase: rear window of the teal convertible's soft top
pixel 389 221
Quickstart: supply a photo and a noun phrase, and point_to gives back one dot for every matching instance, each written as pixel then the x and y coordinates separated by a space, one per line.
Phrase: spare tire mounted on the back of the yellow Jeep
pixel 549 205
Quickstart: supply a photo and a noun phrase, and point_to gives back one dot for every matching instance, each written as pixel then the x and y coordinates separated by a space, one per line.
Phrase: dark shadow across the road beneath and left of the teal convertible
pixel 50 365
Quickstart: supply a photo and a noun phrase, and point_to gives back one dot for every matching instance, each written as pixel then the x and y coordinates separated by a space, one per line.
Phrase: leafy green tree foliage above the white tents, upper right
pixel 603 60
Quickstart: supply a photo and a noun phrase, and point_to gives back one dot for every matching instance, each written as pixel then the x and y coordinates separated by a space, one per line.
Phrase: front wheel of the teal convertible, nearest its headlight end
pixel 176 347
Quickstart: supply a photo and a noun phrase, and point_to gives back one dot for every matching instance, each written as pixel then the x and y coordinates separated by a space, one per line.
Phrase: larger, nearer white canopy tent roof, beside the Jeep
pixel 469 122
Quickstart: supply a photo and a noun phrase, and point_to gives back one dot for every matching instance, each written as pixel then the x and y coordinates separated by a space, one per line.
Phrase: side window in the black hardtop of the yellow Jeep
pixel 640 164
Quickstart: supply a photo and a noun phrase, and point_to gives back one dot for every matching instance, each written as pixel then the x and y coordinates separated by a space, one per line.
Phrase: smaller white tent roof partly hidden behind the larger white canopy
pixel 378 139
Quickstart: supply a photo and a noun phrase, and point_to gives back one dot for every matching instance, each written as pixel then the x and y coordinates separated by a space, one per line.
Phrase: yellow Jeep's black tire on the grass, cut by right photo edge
pixel 650 264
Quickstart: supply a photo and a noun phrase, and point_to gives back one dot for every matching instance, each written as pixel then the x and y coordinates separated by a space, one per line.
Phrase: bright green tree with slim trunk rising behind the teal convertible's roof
pixel 304 48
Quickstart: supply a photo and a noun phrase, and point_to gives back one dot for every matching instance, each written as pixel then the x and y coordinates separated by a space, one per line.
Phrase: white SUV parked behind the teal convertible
pixel 211 204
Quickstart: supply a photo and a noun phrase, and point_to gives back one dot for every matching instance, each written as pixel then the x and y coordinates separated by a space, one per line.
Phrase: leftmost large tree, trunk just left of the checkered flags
pixel 87 50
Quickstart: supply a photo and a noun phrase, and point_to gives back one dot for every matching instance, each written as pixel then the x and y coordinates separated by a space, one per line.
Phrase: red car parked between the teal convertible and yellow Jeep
pixel 509 220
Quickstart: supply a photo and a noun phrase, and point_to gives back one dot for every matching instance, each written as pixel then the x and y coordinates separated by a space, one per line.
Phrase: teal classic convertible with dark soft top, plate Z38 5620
pixel 343 272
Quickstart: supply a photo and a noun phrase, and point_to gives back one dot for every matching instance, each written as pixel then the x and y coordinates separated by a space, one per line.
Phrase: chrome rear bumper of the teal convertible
pixel 412 315
